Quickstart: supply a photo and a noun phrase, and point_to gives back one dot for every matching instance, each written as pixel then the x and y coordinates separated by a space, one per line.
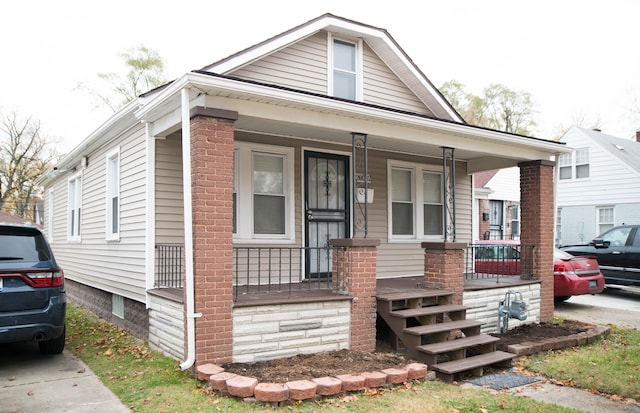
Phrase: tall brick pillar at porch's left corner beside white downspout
pixel 212 133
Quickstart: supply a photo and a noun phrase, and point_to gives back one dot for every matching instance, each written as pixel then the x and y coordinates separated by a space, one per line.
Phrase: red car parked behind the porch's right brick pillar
pixel 571 275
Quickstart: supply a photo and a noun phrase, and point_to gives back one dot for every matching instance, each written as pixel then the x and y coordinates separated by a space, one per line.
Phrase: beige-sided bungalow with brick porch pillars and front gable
pixel 270 203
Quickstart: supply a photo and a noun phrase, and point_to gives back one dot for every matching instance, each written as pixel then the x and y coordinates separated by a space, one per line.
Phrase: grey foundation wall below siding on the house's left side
pixel 136 317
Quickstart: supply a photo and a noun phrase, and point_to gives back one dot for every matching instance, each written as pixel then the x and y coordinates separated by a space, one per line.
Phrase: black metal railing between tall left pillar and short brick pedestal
pixel 261 270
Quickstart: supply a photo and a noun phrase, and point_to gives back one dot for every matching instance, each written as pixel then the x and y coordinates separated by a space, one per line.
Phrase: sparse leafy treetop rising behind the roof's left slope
pixel 144 71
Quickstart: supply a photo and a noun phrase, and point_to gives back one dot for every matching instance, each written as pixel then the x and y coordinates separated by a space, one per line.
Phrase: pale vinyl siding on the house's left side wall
pixel 118 268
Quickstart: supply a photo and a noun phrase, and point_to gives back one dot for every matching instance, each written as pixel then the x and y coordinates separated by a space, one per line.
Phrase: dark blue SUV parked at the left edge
pixel 32 294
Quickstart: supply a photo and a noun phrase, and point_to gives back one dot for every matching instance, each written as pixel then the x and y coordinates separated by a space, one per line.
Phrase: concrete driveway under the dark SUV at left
pixel 30 382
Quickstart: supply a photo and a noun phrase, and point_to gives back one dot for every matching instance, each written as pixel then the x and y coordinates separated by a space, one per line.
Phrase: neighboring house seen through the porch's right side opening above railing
pixel 497 202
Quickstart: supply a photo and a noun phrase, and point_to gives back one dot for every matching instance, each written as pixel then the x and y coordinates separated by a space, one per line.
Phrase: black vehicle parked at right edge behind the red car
pixel 618 253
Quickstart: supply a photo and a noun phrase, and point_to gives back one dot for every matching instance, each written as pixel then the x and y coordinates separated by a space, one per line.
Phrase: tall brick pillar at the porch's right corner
pixel 537 224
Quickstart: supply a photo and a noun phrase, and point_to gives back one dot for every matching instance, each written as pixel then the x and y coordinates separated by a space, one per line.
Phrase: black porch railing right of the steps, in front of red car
pixel 496 260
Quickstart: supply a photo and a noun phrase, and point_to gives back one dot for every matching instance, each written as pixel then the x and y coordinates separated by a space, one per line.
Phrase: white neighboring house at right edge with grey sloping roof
pixel 598 185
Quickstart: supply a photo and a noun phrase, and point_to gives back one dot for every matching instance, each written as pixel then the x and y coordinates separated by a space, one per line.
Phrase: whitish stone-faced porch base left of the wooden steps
pixel 279 331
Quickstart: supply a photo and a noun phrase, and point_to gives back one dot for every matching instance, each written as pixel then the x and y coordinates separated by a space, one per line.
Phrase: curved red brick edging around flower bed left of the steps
pixel 249 389
